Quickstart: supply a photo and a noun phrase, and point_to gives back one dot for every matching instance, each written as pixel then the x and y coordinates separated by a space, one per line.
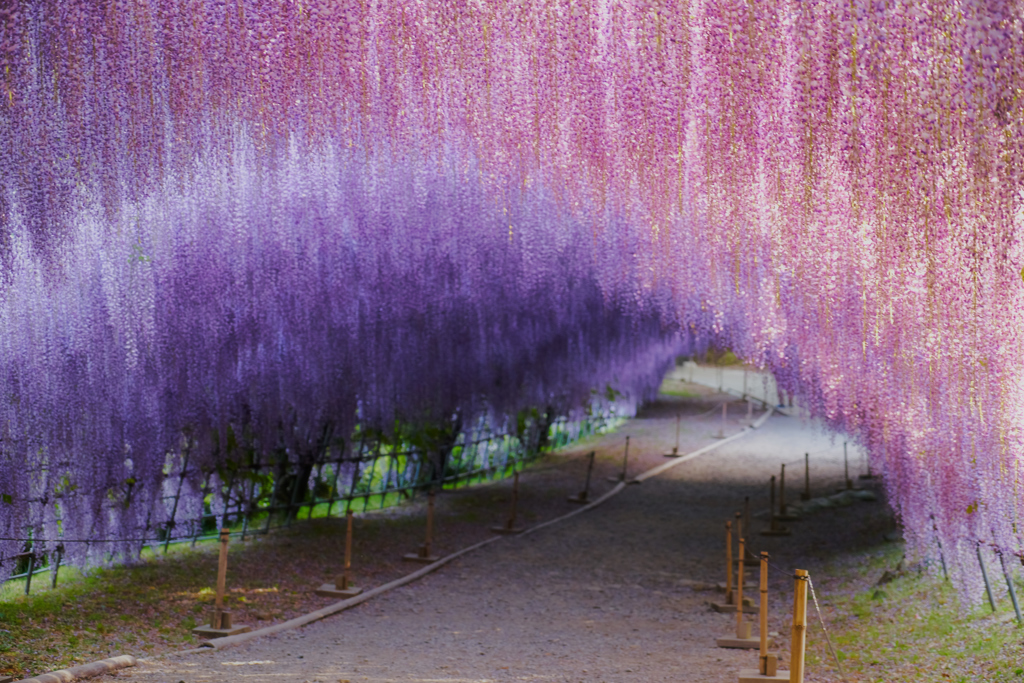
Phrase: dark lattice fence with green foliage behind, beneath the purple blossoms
pixel 266 494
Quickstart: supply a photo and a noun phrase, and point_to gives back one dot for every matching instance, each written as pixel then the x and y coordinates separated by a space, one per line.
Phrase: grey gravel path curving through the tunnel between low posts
pixel 618 594
